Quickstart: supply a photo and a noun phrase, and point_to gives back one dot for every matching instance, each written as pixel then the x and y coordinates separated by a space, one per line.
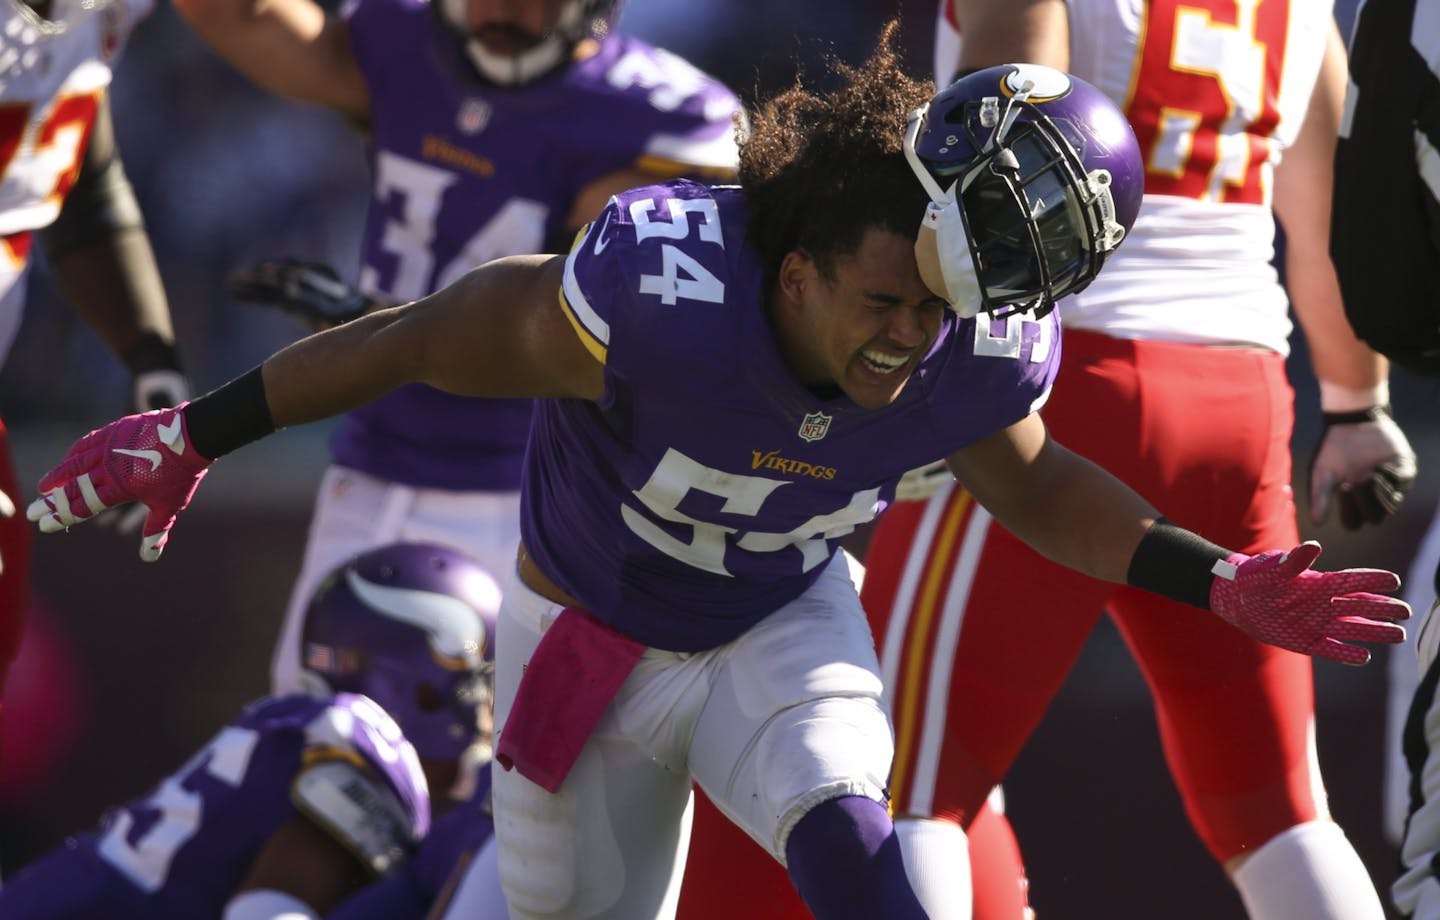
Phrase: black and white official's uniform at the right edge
pixel 1386 245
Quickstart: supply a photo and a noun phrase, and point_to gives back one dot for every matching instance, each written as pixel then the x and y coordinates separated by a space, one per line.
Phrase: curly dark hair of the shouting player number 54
pixel 820 169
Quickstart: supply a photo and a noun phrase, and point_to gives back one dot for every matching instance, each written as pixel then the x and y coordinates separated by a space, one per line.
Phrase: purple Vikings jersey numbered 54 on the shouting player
pixel 708 486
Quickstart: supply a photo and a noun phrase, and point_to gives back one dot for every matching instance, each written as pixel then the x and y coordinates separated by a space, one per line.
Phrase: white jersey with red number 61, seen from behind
pixel 1216 93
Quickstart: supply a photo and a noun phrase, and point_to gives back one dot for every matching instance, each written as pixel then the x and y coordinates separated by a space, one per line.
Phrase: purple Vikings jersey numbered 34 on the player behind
pixel 466 173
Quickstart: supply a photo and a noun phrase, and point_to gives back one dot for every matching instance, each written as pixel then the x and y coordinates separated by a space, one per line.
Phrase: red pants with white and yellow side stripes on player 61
pixel 978 633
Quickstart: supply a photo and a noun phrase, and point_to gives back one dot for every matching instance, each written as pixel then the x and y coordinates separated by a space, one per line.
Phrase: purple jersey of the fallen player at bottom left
pixel 181 853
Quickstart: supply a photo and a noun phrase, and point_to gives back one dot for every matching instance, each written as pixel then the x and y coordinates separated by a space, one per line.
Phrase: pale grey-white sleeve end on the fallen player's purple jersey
pixel 356 808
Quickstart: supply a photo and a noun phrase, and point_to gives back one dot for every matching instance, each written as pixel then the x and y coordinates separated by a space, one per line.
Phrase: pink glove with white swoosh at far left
pixel 146 459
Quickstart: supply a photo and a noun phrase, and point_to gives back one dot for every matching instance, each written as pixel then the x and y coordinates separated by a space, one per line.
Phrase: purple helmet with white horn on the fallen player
pixel 411 627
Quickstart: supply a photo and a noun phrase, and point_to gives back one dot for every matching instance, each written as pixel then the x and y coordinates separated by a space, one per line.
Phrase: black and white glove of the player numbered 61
pixel 1363 461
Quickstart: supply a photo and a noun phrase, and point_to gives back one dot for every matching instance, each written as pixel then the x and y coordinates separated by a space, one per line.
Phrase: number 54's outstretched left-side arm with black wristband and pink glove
pixel 498 332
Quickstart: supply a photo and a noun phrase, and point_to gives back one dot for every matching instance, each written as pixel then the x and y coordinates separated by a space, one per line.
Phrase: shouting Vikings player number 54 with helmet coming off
pixel 732 381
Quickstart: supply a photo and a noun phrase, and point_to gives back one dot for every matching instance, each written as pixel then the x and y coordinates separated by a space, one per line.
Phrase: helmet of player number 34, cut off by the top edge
pixel 580 21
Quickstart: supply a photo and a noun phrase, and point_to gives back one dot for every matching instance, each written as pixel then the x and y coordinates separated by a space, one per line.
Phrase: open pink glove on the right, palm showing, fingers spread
pixel 1278 600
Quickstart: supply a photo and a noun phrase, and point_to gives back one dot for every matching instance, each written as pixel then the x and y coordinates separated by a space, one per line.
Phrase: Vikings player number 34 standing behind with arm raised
pixel 496 127
